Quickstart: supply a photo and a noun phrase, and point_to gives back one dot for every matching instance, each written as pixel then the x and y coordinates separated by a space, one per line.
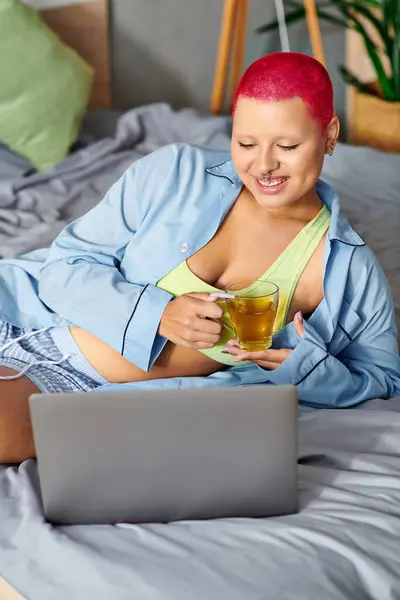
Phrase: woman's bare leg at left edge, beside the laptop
pixel 16 440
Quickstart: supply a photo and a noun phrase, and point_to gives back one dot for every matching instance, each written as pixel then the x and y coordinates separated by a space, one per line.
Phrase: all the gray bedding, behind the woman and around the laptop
pixel 342 545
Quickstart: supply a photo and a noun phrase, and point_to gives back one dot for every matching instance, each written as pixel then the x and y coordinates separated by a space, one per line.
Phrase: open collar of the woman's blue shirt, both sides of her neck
pixel 340 229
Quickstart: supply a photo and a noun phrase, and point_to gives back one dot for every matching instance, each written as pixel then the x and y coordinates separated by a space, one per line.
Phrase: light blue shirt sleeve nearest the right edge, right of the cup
pixel 367 368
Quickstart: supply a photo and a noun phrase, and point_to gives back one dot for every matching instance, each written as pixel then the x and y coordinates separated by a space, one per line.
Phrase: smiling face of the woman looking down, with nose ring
pixel 278 150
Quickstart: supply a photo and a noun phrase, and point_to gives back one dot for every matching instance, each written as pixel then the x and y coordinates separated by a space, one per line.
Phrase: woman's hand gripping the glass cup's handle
pixel 185 323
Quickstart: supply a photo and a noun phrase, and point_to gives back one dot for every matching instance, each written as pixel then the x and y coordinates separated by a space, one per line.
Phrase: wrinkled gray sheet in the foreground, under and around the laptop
pixel 342 545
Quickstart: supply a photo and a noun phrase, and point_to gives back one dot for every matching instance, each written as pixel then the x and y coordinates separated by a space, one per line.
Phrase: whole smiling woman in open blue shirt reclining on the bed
pixel 124 295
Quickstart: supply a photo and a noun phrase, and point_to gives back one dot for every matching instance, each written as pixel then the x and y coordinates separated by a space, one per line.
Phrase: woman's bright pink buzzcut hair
pixel 285 75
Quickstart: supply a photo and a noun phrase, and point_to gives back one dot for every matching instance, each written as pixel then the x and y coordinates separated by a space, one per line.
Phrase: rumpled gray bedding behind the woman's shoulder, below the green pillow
pixel 34 207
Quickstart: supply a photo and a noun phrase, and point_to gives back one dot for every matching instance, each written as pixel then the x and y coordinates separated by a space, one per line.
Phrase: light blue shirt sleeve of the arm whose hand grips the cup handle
pixel 81 278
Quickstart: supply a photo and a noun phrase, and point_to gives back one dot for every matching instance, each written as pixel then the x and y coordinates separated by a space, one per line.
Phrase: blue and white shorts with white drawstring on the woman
pixel 74 373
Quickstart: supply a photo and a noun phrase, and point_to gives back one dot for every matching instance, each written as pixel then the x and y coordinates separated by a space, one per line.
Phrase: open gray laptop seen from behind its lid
pixel 166 455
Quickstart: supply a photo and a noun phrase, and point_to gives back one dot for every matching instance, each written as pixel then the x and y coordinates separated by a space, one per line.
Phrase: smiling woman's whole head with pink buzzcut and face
pixel 277 146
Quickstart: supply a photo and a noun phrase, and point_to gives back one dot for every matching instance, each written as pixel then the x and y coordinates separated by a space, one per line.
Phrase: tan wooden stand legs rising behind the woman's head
pixel 232 40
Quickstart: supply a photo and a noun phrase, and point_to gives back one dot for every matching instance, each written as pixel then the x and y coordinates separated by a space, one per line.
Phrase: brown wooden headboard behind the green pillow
pixel 85 28
